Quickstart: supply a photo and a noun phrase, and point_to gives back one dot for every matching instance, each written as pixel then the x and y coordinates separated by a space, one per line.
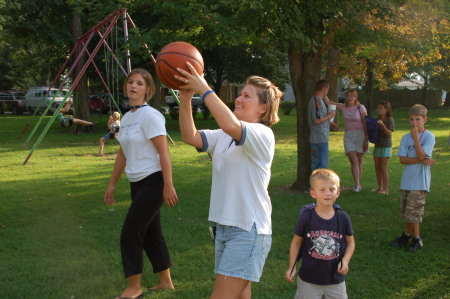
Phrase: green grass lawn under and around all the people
pixel 59 240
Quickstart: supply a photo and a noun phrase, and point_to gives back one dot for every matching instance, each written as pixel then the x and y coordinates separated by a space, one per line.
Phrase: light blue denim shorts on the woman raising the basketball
pixel 240 253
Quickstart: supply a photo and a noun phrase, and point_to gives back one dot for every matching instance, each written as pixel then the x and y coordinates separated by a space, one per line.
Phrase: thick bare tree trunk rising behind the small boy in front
pixel 304 69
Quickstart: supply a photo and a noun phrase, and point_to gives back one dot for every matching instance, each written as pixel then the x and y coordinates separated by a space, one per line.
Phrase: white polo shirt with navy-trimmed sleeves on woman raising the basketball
pixel 240 177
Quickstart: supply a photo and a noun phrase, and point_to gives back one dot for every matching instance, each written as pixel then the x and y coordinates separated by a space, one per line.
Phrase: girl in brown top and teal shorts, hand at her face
pixel 383 147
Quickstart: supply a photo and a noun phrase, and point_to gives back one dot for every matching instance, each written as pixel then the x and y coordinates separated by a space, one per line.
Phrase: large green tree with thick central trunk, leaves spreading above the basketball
pixel 303 29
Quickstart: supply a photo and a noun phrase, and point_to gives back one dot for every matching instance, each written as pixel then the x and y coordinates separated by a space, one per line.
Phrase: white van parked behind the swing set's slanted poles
pixel 38 97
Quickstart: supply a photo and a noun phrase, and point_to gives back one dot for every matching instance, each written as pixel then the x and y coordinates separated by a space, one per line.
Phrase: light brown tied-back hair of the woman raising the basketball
pixel 268 94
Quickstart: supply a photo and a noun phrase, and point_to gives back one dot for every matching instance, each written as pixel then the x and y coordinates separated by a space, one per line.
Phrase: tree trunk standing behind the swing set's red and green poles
pixel 81 90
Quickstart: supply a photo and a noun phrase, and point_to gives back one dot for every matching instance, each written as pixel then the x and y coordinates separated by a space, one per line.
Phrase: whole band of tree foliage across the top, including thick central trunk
pixel 375 43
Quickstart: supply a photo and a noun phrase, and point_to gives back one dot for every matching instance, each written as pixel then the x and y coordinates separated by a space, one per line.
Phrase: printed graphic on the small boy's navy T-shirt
pixel 326 244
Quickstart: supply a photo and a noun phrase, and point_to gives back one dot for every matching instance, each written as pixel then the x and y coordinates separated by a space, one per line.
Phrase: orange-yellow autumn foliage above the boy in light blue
pixel 412 39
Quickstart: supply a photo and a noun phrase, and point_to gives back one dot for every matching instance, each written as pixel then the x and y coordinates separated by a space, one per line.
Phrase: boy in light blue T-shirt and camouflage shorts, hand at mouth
pixel 414 152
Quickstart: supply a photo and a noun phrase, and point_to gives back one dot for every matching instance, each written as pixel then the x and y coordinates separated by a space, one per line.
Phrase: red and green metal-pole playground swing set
pixel 103 30
